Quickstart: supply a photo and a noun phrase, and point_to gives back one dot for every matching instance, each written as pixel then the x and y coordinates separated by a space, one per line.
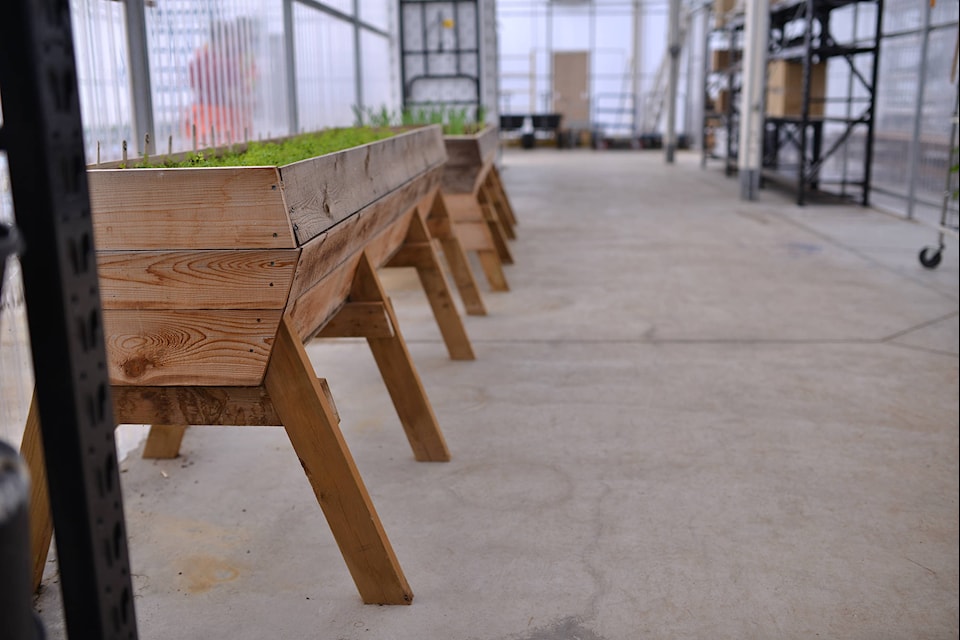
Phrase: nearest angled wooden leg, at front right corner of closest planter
pixel 312 428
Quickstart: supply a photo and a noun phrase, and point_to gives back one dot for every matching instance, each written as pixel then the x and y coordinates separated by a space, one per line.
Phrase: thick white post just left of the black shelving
pixel 752 97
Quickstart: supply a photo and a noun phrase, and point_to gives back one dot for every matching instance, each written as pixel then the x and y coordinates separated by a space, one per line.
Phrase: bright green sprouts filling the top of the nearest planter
pixel 283 152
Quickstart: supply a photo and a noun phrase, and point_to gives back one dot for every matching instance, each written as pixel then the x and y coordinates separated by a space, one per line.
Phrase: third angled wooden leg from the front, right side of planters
pixel 418 252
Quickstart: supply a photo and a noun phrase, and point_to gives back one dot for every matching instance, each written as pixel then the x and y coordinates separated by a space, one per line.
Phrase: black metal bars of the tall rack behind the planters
pixel 407 82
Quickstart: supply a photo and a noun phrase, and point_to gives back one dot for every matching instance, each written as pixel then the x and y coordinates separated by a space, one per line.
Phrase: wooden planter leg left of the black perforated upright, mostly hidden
pixel 41 520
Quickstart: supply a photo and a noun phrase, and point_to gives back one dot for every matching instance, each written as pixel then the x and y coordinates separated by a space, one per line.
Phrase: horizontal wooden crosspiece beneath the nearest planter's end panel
pixel 195 406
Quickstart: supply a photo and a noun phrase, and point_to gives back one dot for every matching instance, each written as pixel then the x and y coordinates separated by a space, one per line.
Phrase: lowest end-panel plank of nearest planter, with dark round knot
pixel 183 348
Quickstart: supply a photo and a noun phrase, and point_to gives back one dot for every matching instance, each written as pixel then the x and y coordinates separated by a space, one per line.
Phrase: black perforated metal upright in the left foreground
pixel 42 137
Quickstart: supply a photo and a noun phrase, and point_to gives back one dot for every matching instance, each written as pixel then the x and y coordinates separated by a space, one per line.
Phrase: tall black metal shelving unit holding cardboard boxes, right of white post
pixel 800 31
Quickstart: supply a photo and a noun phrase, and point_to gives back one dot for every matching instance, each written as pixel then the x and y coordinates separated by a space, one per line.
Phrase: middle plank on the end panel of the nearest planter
pixel 246 279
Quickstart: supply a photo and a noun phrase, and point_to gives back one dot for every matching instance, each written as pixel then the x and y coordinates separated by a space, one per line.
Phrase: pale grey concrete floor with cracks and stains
pixel 692 417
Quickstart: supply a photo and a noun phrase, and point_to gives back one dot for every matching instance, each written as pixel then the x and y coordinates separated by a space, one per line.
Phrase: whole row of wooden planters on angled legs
pixel 216 267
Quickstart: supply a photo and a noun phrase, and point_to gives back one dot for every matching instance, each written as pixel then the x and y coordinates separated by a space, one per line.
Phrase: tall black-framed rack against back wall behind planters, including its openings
pixel 440 57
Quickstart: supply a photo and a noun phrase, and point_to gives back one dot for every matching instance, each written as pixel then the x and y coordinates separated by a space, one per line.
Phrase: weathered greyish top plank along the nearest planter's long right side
pixel 323 191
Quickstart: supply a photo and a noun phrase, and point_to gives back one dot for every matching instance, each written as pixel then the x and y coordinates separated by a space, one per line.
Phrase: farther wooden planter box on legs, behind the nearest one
pixel 478 206
